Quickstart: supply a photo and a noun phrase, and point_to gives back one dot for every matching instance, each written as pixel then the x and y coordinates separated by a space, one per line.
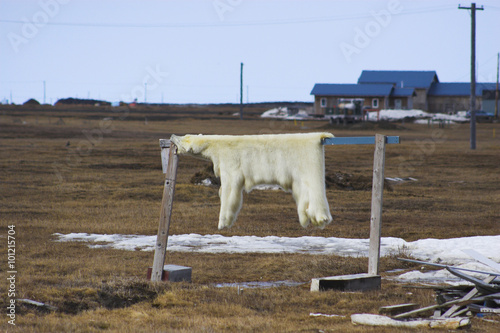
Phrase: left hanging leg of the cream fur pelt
pixel 231 198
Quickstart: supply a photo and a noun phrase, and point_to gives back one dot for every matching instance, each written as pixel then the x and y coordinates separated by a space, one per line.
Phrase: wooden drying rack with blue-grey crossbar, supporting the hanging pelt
pixel 169 165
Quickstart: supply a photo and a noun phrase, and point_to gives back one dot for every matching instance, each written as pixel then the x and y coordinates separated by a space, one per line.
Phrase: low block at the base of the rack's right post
pixel 354 282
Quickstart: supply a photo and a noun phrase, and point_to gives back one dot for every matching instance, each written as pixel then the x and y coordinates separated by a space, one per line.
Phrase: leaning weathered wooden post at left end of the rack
pixel 166 207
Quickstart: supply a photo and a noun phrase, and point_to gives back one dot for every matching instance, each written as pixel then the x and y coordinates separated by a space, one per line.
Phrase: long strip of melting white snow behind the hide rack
pixel 443 251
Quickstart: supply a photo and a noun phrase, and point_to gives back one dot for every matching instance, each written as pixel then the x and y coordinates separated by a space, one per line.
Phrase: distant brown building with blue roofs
pixel 398 90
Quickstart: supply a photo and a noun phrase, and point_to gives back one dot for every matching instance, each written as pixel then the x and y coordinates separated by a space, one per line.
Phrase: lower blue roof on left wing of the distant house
pixel 350 90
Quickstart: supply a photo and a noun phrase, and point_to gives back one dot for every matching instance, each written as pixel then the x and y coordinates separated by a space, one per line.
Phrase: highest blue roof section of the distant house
pixel 413 79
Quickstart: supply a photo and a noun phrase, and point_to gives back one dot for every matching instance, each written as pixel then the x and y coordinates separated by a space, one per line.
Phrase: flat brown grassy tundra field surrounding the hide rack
pixel 98 170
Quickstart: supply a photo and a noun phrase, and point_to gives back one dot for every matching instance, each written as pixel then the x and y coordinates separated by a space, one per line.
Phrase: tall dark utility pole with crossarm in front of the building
pixel 472 73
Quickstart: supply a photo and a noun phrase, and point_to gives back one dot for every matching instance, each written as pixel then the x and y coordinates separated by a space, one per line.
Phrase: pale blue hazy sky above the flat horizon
pixel 189 51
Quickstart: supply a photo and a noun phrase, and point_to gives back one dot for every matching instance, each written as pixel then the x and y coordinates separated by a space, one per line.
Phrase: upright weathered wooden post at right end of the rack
pixel 377 196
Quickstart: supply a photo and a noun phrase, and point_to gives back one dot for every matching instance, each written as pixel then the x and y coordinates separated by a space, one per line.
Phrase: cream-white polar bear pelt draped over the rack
pixel 293 161
